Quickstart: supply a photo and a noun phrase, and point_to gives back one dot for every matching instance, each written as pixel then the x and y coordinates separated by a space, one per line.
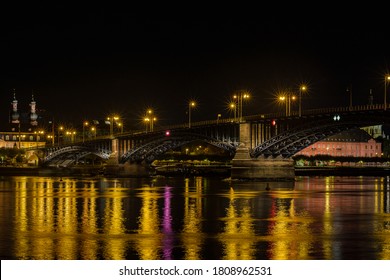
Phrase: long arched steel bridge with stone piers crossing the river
pixel 252 141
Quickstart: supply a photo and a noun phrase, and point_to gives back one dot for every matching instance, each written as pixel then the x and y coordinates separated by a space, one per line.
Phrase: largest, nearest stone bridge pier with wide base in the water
pixel 246 168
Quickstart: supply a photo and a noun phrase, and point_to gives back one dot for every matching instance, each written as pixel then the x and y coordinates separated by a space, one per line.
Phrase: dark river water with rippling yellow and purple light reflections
pixel 324 218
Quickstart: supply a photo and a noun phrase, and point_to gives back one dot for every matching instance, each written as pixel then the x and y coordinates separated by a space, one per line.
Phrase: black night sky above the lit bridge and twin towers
pixel 91 62
